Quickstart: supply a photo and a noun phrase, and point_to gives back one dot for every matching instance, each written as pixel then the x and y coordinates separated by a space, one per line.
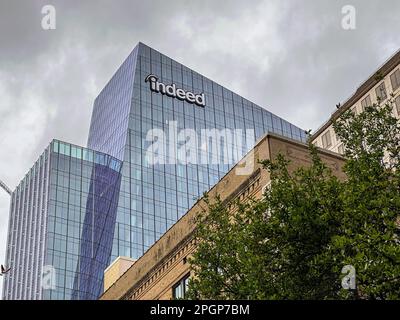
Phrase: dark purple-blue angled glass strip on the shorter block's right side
pixel 98 231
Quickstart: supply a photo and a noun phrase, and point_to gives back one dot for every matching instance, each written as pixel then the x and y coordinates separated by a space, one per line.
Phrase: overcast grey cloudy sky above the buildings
pixel 291 57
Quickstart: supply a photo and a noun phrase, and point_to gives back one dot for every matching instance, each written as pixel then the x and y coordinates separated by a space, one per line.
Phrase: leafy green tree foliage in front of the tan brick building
pixel 293 243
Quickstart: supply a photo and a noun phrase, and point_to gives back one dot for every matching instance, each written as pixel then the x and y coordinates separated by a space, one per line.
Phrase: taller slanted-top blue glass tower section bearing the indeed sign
pixel 153 197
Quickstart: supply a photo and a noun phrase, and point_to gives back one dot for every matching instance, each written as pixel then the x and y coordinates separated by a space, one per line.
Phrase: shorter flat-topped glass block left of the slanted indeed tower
pixel 62 221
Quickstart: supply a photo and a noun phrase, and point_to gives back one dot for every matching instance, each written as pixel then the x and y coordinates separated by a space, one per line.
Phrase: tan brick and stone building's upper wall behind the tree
pixel 165 263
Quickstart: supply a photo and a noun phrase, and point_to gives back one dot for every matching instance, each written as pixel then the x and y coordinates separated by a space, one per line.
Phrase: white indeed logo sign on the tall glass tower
pixel 172 91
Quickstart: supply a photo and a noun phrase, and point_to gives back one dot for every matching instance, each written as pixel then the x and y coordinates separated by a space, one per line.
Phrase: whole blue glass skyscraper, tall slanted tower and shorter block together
pixel 149 91
